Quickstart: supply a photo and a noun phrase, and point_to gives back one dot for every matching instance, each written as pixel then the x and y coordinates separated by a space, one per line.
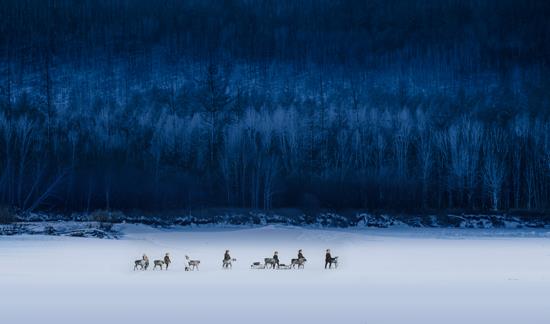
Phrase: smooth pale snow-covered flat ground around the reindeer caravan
pixel 385 276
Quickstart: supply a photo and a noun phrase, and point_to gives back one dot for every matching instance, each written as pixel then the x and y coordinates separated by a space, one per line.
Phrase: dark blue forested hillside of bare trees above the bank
pixel 394 105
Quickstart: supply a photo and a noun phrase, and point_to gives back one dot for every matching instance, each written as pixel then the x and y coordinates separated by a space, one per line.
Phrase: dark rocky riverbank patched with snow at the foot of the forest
pixel 100 221
